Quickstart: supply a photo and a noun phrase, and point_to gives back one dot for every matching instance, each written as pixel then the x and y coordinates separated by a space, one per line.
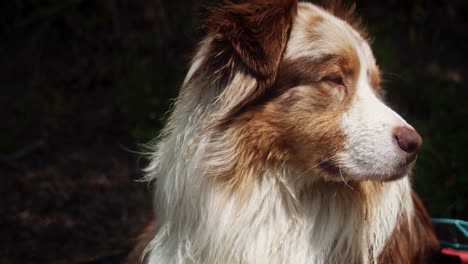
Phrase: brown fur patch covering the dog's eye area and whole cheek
pixel 298 124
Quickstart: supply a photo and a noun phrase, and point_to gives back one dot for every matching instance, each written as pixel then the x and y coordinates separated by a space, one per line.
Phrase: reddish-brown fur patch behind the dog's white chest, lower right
pixel 411 244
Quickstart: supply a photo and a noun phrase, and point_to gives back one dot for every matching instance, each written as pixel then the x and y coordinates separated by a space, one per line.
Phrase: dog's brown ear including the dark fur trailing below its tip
pixel 253 35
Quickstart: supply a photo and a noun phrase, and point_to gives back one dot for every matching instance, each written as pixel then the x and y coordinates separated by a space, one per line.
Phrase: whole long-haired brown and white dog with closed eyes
pixel 280 150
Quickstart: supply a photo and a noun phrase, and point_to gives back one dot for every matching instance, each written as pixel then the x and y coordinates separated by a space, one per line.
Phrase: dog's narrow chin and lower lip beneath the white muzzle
pixel 332 172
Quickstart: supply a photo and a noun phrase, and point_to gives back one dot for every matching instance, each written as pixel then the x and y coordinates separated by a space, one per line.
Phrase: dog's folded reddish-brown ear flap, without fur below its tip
pixel 257 31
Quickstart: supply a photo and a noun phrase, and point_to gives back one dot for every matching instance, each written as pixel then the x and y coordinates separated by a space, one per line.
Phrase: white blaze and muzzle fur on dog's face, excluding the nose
pixel 370 150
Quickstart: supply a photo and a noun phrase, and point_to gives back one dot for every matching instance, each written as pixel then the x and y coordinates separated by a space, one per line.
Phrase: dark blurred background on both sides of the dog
pixel 83 83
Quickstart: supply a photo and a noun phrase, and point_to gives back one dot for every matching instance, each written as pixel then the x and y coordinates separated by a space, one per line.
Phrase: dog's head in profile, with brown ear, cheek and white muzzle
pixel 296 84
